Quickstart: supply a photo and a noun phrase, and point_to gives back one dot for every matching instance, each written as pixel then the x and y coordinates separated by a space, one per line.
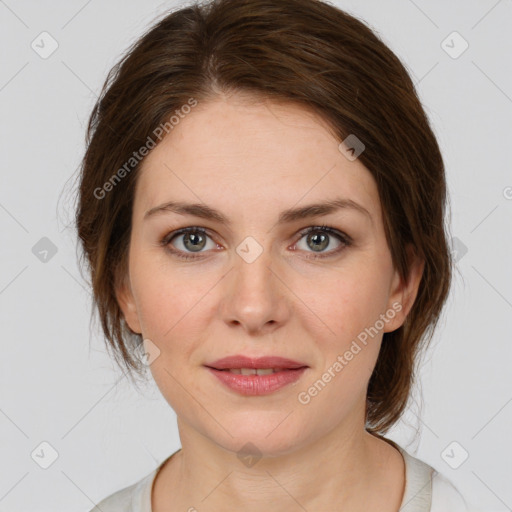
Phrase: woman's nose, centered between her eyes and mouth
pixel 256 298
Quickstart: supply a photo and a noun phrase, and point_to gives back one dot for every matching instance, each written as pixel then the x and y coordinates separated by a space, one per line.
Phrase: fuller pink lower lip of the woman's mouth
pixel 254 385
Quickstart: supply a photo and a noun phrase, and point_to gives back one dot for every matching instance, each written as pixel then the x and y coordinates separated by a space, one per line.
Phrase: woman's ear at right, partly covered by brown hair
pixel 403 292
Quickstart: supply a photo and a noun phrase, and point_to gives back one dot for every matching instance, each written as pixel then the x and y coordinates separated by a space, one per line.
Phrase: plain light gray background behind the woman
pixel 57 383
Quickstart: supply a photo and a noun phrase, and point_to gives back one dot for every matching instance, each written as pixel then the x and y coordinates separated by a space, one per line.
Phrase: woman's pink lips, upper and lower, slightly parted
pixel 254 385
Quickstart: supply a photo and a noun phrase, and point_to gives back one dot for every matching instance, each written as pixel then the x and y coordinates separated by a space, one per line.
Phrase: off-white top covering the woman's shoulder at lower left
pixel 134 498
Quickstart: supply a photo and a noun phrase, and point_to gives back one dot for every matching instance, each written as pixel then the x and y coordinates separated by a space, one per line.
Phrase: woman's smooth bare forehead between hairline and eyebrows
pixel 240 152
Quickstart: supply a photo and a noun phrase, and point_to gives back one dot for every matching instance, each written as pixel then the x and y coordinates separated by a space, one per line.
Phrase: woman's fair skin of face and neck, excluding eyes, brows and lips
pixel 252 159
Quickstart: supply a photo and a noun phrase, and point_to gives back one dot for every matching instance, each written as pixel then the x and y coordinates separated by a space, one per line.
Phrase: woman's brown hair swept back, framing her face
pixel 304 51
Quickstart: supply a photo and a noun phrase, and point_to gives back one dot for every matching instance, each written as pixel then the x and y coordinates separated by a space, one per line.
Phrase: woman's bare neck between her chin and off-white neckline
pixel 342 471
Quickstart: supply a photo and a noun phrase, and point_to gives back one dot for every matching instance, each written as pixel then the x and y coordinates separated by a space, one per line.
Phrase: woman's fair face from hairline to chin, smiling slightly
pixel 248 280
